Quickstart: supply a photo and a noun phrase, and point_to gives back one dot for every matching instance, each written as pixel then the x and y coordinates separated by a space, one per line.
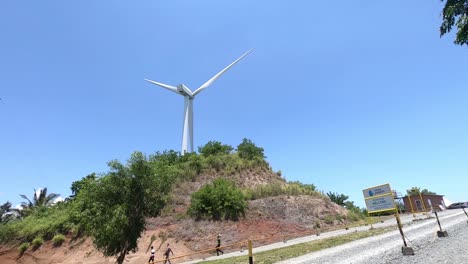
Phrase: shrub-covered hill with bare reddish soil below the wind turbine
pixel 163 187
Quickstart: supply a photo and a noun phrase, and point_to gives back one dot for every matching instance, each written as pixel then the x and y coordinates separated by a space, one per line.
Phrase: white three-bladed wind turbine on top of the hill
pixel 189 96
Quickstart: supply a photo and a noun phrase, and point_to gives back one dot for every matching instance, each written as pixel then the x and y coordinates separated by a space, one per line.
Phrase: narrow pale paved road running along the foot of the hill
pixel 407 221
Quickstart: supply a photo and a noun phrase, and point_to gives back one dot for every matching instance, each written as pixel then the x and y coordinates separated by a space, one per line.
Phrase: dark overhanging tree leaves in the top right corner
pixel 454 13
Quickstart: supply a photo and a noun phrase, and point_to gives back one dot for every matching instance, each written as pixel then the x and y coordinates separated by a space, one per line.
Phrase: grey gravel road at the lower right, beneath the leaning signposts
pixel 386 248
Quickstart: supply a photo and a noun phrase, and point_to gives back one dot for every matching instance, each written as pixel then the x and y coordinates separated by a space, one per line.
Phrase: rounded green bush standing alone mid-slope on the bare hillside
pixel 217 201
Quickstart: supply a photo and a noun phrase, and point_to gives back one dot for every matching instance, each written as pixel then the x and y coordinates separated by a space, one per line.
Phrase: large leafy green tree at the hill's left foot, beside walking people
pixel 113 208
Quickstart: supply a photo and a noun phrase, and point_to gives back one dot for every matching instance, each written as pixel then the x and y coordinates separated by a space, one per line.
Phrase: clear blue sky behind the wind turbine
pixel 343 94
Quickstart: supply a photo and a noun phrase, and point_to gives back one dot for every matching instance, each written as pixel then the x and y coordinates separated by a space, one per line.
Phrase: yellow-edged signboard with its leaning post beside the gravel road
pixel 380 199
